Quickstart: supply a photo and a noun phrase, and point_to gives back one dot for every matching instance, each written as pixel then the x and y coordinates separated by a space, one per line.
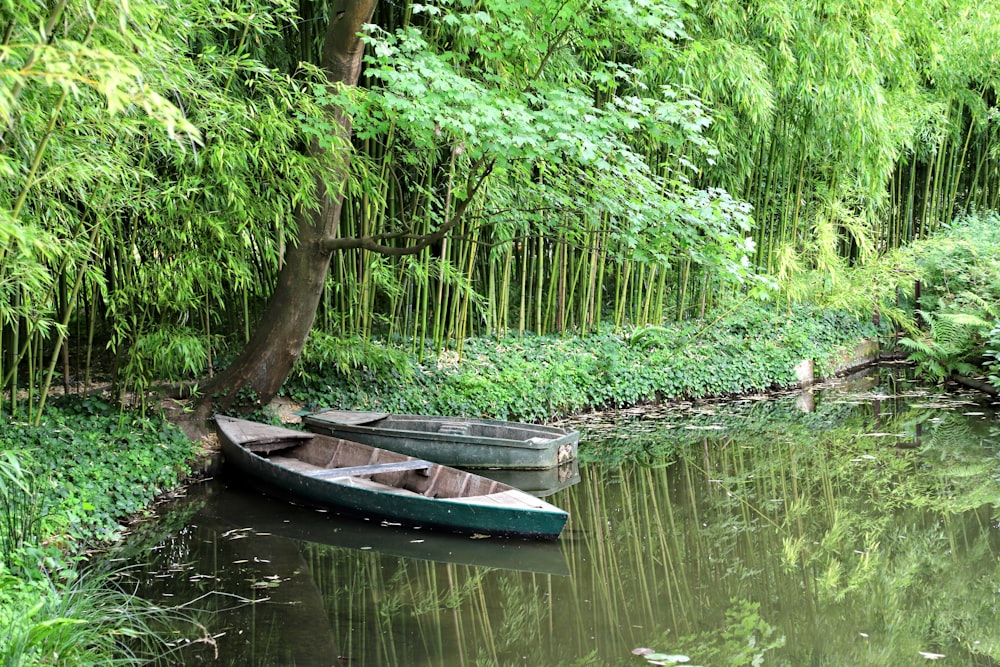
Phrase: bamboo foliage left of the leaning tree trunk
pixel 154 170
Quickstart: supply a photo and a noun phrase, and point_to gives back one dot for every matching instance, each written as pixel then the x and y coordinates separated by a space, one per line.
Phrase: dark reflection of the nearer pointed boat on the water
pixel 241 508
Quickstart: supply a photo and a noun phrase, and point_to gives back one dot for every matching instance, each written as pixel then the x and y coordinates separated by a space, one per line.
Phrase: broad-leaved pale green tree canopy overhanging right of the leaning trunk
pixel 582 131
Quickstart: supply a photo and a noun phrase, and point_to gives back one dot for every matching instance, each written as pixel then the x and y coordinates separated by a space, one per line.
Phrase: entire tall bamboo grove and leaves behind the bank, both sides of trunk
pixel 616 164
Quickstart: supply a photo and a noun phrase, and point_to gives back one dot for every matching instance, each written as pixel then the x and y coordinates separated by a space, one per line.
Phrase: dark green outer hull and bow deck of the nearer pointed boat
pixel 484 513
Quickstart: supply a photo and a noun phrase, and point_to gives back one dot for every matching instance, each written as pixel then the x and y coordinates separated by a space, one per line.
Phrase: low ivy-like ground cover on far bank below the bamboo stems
pixel 539 378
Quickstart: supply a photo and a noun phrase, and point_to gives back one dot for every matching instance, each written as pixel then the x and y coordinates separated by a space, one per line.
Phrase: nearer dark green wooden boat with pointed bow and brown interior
pixel 332 472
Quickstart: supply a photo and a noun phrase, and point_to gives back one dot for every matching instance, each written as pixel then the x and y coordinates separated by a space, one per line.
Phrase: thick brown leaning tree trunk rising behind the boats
pixel 277 342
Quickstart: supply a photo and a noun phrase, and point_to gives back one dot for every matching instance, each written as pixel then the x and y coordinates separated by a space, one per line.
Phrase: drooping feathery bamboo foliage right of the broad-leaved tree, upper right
pixel 851 127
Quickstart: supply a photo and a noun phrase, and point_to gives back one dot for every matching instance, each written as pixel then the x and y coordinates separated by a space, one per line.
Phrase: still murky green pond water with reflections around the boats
pixel 851 525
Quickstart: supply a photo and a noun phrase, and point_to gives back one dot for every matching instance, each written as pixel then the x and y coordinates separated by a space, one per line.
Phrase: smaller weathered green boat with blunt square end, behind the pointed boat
pixel 475 444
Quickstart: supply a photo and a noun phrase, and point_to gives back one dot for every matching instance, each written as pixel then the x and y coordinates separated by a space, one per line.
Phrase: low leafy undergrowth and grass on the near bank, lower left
pixel 64 486
